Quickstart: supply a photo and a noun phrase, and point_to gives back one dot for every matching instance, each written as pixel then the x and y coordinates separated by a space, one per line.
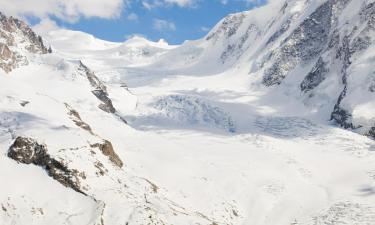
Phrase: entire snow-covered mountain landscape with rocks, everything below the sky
pixel 268 119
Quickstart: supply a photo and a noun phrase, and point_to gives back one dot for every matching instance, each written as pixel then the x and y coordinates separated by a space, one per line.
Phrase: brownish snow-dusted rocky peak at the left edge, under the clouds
pixel 16 39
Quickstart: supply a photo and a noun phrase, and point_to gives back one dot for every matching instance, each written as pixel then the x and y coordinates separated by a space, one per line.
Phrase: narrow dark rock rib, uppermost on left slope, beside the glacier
pixel 99 89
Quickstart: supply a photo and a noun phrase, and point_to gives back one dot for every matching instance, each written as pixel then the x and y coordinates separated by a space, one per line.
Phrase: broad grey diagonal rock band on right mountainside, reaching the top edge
pixel 305 43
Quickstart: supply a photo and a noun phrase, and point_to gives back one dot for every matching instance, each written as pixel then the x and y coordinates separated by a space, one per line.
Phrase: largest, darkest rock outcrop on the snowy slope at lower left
pixel 28 151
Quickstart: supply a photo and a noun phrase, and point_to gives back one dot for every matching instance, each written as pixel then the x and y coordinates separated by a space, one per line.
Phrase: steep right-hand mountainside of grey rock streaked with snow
pixel 321 49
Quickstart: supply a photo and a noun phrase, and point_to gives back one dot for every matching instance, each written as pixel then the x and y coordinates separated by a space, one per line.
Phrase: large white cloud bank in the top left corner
pixel 67 10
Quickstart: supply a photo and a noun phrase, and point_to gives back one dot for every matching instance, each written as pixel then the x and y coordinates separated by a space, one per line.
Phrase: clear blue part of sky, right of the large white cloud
pixel 172 22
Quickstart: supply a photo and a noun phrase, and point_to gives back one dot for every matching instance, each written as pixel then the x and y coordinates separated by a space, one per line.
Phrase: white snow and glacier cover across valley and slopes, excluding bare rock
pixel 205 142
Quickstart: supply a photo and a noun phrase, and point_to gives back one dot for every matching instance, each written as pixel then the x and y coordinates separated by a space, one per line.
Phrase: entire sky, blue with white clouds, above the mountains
pixel 117 20
